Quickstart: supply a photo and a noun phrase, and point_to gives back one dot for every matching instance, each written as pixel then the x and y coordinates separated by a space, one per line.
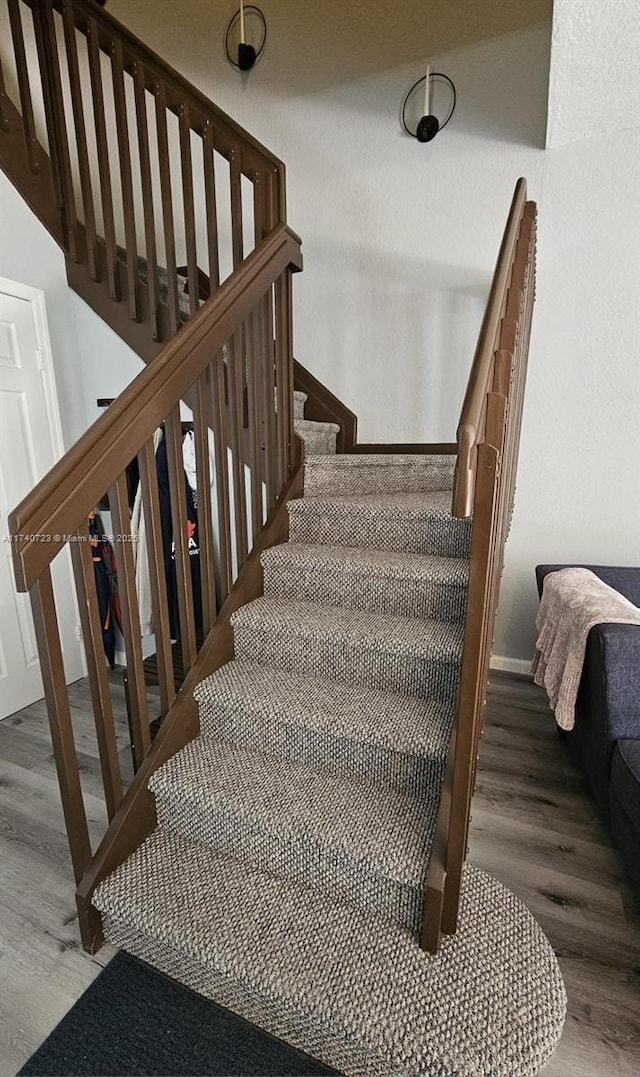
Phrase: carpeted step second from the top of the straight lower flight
pixel 414 523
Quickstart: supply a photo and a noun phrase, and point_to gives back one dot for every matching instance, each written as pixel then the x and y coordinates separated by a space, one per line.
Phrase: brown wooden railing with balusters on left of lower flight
pixel 234 361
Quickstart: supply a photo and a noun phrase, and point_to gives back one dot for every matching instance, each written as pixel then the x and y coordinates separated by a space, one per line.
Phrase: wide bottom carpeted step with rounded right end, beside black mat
pixel 346 987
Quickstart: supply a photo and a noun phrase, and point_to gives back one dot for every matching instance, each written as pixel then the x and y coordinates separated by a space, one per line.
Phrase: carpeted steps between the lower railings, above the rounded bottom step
pixel 324 744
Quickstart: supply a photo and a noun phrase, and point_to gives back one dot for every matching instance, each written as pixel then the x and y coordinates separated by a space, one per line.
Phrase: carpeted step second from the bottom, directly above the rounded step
pixel 356 843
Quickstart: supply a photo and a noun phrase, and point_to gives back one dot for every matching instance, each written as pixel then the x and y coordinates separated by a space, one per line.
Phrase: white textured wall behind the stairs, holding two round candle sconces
pixel 400 242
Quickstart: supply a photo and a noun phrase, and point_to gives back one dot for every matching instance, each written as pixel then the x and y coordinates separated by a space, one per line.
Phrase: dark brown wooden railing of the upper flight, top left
pixel 142 163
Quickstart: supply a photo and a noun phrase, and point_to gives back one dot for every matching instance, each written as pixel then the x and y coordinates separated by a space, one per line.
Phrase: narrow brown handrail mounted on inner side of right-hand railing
pixel 470 427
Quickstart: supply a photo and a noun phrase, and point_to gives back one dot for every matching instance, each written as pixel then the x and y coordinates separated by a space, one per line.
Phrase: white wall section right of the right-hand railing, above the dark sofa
pixel 578 494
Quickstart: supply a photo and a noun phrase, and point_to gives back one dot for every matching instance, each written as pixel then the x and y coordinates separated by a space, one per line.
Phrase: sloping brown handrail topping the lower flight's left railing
pixel 62 500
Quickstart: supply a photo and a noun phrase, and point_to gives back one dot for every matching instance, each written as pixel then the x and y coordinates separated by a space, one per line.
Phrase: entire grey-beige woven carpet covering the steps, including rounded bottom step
pixel 287 874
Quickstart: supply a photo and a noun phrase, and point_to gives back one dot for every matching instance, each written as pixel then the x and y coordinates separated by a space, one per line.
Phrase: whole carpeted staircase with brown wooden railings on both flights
pixel 300 822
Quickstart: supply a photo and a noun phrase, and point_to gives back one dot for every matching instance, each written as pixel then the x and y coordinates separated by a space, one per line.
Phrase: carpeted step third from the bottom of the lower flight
pixel 351 731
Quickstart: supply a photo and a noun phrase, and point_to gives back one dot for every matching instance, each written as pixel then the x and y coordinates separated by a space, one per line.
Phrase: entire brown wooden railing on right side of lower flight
pixel 484 488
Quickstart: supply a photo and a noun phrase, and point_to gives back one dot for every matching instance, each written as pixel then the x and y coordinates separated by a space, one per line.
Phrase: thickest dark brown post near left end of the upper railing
pixel 57 122
